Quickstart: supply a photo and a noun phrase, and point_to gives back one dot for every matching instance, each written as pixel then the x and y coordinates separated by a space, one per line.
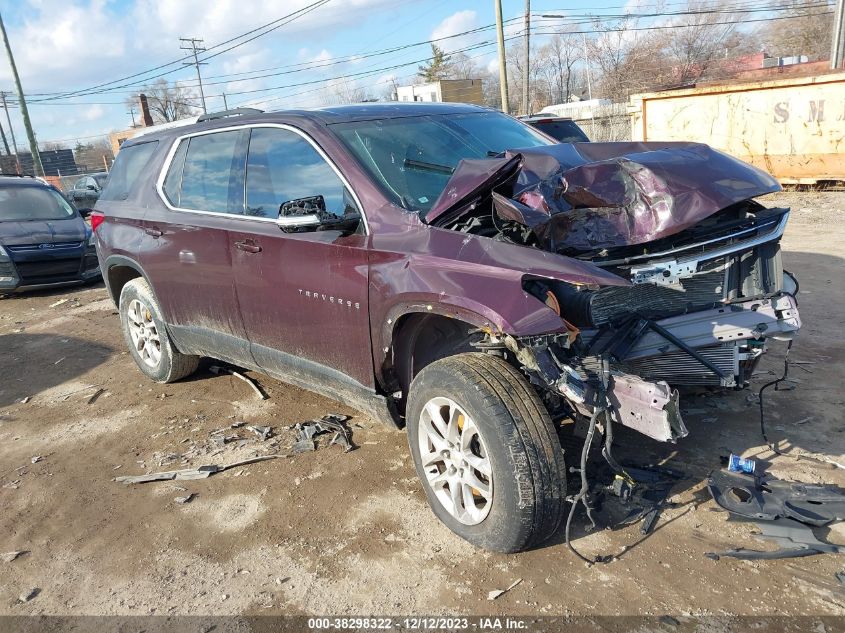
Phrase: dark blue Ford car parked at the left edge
pixel 44 241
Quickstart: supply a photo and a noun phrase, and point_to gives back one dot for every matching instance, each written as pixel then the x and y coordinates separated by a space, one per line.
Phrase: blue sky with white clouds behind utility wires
pixel 69 45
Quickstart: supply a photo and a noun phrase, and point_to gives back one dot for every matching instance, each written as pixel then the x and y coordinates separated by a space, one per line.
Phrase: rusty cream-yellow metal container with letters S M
pixel 793 128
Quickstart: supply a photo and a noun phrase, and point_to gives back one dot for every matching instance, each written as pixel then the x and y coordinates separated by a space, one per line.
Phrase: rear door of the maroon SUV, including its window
pixel 185 250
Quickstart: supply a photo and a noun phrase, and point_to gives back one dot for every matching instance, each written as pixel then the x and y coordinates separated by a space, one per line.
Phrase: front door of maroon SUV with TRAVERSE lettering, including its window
pixel 303 295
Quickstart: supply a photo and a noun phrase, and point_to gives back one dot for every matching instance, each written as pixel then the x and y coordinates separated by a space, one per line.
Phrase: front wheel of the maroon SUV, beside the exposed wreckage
pixel 522 502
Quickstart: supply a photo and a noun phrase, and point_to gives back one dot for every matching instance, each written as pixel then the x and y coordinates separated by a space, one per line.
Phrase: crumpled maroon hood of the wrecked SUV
pixel 584 196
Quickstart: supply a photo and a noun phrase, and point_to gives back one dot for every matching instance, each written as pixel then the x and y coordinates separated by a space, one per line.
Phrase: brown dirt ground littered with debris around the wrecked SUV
pixel 350 533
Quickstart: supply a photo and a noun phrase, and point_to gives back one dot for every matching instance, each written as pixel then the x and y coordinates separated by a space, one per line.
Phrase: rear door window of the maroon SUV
pixel 212 175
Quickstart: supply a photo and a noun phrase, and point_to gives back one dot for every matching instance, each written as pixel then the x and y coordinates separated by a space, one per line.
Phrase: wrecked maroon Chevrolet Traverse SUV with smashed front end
pixel 451 270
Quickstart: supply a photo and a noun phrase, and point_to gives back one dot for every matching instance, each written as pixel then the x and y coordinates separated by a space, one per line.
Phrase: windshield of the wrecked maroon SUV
pixel 413 158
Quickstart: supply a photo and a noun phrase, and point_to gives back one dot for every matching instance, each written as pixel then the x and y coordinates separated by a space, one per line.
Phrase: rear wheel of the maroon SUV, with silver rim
pixel 146 335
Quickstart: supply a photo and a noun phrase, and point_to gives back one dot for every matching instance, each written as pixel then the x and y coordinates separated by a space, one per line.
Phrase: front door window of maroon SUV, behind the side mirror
pixel 282 168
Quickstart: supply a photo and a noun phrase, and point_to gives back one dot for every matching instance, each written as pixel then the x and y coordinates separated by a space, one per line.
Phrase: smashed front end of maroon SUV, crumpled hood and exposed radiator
pixel 706 288
